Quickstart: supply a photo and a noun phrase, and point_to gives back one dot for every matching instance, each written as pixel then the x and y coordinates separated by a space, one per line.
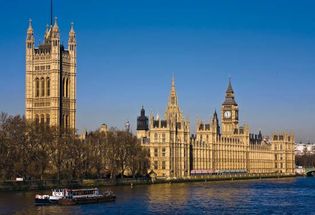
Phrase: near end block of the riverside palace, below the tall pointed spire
pixel 168 141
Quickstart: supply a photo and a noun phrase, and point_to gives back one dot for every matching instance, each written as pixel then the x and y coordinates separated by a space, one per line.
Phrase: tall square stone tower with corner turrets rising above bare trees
pixel 50 88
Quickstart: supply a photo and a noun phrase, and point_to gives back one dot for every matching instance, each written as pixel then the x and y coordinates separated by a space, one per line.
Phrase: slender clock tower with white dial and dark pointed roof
pixel 229 112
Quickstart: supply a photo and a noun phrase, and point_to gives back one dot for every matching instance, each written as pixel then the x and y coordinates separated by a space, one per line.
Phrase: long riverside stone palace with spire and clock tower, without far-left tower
pixel 232 149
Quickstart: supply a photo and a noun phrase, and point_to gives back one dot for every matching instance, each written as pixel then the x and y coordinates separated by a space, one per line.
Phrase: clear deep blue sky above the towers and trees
pixel 128 51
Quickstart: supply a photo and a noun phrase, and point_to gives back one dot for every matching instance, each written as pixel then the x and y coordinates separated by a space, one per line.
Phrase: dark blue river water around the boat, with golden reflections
pixel 269 196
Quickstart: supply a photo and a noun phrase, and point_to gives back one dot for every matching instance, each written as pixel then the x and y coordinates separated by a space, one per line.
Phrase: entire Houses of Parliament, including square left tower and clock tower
pixel 219 145
